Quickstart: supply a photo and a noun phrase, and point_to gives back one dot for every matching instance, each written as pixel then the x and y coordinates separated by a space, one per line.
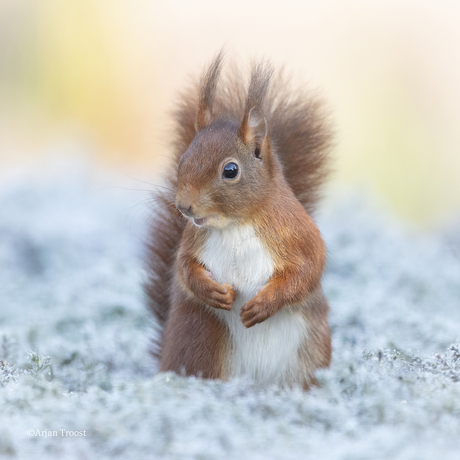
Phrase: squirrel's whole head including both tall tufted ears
pixel 229 168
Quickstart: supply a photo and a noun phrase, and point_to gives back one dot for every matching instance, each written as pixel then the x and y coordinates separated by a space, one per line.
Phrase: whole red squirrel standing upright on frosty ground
pixel 234 258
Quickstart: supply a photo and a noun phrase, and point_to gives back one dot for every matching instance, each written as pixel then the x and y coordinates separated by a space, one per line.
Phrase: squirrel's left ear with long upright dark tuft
pixel 207 91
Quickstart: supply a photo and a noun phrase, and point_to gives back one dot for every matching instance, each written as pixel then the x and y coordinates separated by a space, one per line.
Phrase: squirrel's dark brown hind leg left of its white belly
pixel 194 341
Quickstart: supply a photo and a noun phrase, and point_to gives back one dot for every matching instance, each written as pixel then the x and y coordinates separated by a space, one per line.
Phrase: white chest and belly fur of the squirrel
pixel 266 352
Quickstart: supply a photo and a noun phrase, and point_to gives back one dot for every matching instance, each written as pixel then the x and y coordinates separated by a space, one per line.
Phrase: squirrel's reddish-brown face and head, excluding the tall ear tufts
pixel 223 176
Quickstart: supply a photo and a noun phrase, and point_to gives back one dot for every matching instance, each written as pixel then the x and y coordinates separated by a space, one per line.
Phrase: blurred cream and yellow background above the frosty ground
pixel 102 74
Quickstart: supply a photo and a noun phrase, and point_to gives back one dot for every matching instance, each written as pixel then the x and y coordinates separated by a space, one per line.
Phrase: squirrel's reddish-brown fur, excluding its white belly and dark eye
pixel 214 123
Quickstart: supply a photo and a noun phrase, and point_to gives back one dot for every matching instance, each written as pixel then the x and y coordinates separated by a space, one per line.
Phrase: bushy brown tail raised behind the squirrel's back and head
pixel 300 134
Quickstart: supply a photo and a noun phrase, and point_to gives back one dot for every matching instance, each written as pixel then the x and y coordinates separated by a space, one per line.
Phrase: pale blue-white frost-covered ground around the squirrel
pixel 74 334
